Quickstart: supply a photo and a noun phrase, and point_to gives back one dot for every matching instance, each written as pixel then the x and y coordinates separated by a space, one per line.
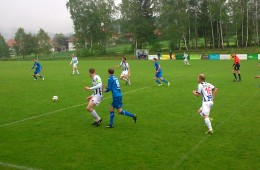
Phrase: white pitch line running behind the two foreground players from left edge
pixel 46 114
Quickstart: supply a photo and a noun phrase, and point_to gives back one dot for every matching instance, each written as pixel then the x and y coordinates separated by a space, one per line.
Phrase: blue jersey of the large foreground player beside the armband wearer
pixel 114 87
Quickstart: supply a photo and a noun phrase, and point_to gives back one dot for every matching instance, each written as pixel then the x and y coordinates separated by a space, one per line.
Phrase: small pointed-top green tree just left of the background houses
pixel 44 44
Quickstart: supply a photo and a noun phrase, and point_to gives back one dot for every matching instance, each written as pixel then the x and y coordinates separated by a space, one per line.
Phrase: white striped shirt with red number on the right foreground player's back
pixel 205 89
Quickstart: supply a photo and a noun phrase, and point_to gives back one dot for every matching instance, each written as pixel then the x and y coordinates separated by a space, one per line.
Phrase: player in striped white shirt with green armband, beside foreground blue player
pixel 96 97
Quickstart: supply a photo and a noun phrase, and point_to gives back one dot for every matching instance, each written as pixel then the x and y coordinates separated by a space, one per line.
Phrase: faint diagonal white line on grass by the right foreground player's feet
pixel 189 152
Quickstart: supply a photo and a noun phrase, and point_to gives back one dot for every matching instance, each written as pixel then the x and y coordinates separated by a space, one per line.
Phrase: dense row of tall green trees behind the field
pixel 190 24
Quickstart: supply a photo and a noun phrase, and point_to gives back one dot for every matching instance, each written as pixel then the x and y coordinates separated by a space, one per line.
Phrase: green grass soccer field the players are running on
pixel 37 133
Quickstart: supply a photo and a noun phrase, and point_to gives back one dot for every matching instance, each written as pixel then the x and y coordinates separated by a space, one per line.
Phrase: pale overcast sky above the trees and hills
pixel 50 15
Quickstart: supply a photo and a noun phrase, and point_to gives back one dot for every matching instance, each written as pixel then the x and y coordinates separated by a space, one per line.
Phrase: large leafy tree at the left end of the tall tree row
pixel 92 20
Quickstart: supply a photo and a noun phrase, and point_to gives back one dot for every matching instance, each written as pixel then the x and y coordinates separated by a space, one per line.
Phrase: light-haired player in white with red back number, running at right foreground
pixel 208 93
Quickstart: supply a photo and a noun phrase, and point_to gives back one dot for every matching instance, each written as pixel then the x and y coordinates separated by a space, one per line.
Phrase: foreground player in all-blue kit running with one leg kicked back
pixel 114 86
